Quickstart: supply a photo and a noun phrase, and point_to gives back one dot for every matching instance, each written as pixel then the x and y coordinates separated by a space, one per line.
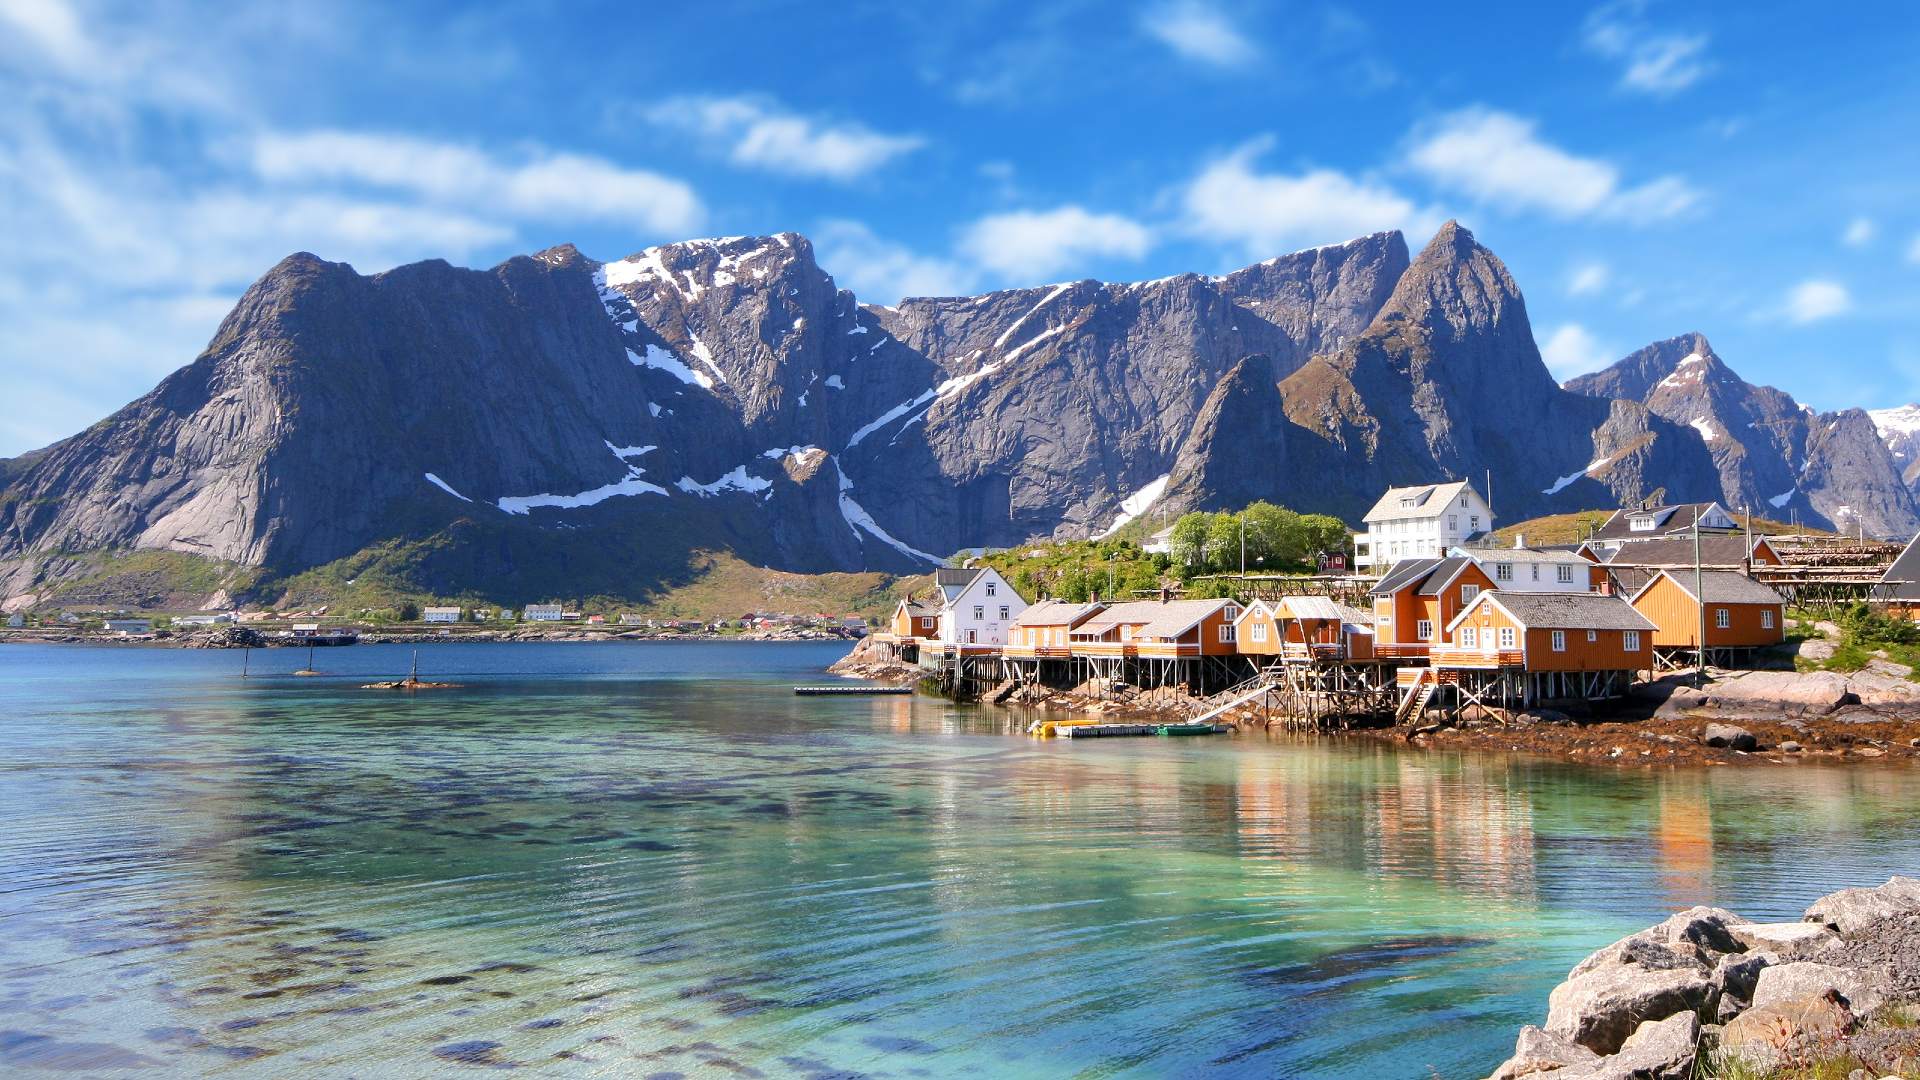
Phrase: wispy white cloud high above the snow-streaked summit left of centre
pixel 769 137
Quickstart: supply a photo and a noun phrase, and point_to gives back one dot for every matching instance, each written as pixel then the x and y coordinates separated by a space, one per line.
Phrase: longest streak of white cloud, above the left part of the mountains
pixel 540 185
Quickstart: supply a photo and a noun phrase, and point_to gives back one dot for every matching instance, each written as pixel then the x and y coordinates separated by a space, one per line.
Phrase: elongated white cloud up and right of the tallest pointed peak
pixel 1499 159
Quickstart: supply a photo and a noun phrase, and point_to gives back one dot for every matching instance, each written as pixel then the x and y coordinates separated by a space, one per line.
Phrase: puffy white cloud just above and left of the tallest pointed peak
pixel 1270 214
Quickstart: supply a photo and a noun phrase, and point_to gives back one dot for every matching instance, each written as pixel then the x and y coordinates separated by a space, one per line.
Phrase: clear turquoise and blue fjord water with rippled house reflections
pixel 656 860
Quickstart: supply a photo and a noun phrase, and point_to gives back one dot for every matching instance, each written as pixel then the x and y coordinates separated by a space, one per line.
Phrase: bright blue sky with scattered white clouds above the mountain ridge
pixel 1644 170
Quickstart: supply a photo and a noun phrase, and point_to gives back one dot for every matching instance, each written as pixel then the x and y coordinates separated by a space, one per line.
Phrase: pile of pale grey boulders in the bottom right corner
pixel 1710 994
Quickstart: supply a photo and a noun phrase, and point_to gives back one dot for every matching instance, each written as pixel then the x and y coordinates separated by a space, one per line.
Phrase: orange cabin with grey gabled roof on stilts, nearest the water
pixel 1548 633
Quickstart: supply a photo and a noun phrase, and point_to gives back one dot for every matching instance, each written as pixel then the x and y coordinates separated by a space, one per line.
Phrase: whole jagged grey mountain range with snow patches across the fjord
pixel 571 428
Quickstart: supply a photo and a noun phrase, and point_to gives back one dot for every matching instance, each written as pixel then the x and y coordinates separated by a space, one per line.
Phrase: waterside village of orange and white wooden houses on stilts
pixel 1437 626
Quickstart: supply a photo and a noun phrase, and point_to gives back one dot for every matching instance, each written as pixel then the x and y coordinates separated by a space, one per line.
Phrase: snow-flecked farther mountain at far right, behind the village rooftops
pixel 1771 453
